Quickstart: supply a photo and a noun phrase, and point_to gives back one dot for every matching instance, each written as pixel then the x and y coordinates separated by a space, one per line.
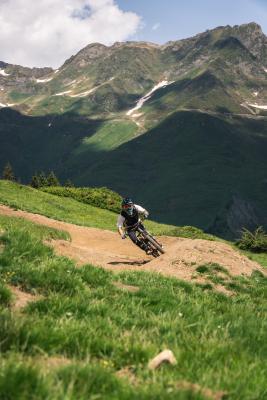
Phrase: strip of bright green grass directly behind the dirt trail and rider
pixel 69 210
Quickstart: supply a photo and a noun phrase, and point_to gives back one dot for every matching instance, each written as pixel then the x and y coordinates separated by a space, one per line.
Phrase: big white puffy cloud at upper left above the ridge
pixel 47 32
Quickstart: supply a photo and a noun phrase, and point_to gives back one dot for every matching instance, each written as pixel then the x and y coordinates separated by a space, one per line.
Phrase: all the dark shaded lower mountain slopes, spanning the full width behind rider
pixel 188 169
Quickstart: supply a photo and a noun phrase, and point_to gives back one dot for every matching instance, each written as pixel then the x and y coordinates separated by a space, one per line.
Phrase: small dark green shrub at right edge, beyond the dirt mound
pixel 255 241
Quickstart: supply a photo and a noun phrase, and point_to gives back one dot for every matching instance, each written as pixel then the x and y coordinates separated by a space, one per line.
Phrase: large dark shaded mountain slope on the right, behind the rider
pixel 189 168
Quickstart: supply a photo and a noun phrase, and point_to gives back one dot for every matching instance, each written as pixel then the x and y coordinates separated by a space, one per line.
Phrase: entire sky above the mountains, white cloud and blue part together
pixel 47 32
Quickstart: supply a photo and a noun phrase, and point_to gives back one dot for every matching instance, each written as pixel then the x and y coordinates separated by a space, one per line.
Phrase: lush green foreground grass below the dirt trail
pixel 219 342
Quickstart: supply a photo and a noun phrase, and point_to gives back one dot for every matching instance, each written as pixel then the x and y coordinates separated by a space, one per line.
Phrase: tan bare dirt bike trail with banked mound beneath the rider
pixel 106 249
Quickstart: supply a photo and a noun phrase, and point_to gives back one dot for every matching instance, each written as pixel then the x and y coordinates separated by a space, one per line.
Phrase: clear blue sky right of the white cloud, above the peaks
pixel 165 20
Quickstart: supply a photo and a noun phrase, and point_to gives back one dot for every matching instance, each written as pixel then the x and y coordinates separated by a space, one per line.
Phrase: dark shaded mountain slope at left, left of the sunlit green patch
pixel 45 142
